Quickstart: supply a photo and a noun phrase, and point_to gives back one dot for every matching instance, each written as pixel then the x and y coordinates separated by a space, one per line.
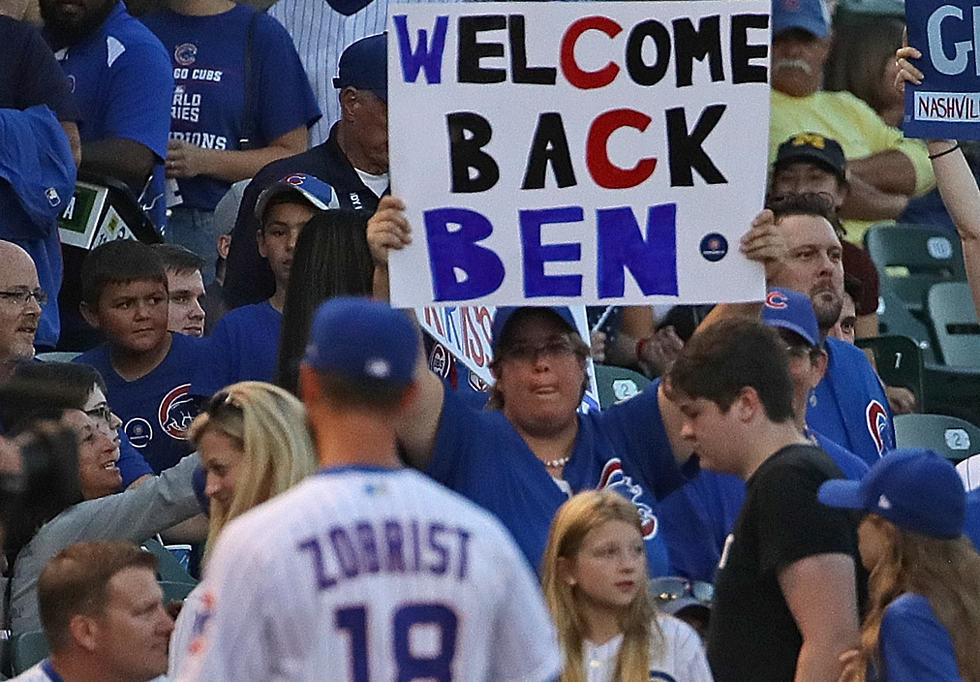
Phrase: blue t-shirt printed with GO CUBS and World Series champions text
pixel 208 61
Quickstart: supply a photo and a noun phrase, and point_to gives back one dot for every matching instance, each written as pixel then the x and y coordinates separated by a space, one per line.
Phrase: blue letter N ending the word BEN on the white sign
pixel 651 261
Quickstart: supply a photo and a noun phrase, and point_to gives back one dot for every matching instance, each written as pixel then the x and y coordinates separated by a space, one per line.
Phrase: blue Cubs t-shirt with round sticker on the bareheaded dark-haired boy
pixel 155 409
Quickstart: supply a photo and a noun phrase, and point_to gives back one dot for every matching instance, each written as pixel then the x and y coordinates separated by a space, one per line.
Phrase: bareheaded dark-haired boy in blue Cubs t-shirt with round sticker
pixel 147 369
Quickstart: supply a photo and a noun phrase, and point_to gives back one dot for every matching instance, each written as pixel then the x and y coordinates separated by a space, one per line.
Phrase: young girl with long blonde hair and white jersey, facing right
pixel 595 583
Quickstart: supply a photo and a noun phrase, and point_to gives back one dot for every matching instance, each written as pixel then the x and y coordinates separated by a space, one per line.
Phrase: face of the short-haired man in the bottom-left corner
pixel 133 632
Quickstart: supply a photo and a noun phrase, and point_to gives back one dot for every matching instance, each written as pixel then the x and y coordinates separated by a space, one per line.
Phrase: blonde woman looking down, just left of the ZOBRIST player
pixel 254 441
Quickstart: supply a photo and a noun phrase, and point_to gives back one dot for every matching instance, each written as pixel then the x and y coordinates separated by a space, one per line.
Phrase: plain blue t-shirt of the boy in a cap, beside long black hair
pixel 243 347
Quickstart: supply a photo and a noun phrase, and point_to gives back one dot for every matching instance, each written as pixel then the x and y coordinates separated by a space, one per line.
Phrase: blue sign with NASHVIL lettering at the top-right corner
pixel 947 103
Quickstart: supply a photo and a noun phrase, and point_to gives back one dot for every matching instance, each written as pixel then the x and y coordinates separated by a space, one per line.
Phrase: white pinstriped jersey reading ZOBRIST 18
pixel 362 574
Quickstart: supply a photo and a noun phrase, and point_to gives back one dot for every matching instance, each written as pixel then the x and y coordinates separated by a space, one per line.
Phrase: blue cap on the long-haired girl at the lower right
pixel 915 489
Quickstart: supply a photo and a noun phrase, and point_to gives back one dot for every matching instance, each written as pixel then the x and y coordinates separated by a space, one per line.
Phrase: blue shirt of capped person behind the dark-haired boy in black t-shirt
pixel 698 518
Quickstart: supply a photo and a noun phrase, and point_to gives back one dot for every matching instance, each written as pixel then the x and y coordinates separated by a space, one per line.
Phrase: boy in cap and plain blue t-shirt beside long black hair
pixel 244 345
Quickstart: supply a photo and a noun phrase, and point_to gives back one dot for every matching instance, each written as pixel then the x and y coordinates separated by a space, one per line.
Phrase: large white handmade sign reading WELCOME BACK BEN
pixel 577 153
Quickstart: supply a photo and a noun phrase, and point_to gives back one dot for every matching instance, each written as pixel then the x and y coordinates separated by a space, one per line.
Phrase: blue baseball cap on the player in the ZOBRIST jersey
pixel 362 339
